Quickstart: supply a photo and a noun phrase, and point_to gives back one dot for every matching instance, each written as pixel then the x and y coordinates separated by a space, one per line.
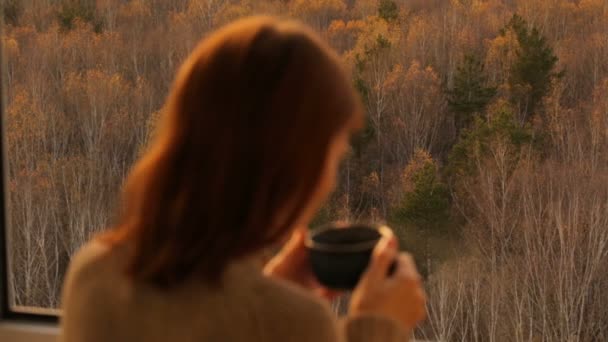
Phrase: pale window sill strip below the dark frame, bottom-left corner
pixel 28 332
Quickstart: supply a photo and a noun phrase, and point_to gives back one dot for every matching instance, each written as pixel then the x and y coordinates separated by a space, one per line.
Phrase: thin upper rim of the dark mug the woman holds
pixel 383 230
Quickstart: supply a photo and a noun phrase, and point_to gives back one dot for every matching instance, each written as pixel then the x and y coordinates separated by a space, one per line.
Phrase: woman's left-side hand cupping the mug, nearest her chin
pixel 292 264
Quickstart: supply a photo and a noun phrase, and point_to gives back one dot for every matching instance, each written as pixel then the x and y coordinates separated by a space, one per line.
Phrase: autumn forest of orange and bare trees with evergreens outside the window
pixel 486 146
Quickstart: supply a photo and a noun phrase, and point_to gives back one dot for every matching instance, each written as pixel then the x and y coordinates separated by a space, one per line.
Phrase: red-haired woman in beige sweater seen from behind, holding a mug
pixel 252 135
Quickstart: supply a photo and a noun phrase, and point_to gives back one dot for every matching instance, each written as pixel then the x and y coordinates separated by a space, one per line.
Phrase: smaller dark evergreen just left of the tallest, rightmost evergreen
pixel 470 93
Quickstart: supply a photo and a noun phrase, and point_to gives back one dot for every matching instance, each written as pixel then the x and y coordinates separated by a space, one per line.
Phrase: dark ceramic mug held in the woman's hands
pixel 339 253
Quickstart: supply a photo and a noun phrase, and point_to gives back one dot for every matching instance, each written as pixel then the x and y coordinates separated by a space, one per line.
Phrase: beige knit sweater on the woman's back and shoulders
pixel 101 304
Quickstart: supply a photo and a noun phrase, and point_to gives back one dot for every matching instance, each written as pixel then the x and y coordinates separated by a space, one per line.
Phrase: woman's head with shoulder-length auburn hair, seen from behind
pixel 247 149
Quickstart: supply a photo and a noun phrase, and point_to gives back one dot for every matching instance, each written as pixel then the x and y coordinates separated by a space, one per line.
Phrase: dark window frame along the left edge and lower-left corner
pixel 7 313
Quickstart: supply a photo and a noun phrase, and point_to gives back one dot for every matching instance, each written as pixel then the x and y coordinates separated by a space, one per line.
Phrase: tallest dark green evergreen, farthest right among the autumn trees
pixel 533 72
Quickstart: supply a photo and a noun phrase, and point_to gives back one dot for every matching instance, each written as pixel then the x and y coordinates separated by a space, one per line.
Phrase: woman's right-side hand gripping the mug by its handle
pixel 400 296
